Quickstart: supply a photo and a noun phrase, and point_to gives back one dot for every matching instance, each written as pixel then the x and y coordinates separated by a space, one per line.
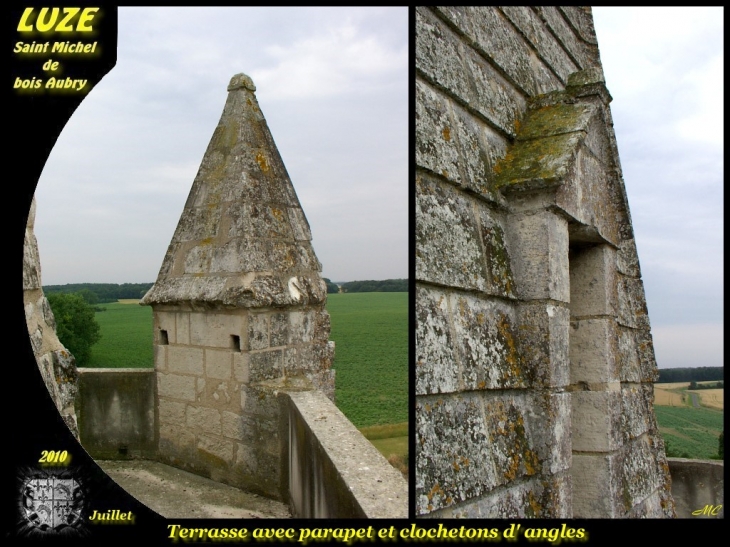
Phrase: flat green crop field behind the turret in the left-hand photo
pixel 370 331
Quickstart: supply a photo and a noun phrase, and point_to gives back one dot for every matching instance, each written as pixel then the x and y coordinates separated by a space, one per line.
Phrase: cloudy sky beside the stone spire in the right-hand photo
pixel 664 69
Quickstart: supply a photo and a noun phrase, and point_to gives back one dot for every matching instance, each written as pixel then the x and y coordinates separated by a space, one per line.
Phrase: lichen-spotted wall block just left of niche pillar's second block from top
pixel 486 338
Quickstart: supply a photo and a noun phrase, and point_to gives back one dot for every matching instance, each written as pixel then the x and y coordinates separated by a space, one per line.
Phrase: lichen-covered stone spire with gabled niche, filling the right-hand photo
pixel 534 357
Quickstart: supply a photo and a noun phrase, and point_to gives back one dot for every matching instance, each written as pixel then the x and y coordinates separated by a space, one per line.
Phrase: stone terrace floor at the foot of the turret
pixel 174 493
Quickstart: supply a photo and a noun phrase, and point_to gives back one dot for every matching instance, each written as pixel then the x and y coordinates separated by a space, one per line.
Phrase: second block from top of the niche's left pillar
pixel 543 332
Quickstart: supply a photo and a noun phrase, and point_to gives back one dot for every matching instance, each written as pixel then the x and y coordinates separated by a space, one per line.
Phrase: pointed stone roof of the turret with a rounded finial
pixel 242 239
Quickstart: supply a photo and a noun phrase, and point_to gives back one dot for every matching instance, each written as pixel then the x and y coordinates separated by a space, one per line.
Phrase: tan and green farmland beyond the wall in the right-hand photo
pixel 690 421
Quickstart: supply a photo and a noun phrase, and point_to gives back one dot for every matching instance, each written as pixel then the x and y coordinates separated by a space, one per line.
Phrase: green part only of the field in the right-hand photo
pixel 690 432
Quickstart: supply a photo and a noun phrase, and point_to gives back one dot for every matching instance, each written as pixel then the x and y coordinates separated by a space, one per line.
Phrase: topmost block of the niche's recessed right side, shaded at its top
pixel 593 281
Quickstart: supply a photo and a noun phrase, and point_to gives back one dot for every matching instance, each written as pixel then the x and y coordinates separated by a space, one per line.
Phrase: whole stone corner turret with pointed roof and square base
pixel 238 308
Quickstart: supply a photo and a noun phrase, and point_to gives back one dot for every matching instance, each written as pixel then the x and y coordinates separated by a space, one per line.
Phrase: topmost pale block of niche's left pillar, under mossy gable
pixel 540 257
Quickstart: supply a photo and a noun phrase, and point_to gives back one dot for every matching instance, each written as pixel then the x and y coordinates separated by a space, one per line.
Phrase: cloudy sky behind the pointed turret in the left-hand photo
pixel 333 86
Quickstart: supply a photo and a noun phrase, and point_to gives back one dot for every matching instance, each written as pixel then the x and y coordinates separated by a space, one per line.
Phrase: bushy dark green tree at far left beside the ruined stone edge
pixel 76 325
